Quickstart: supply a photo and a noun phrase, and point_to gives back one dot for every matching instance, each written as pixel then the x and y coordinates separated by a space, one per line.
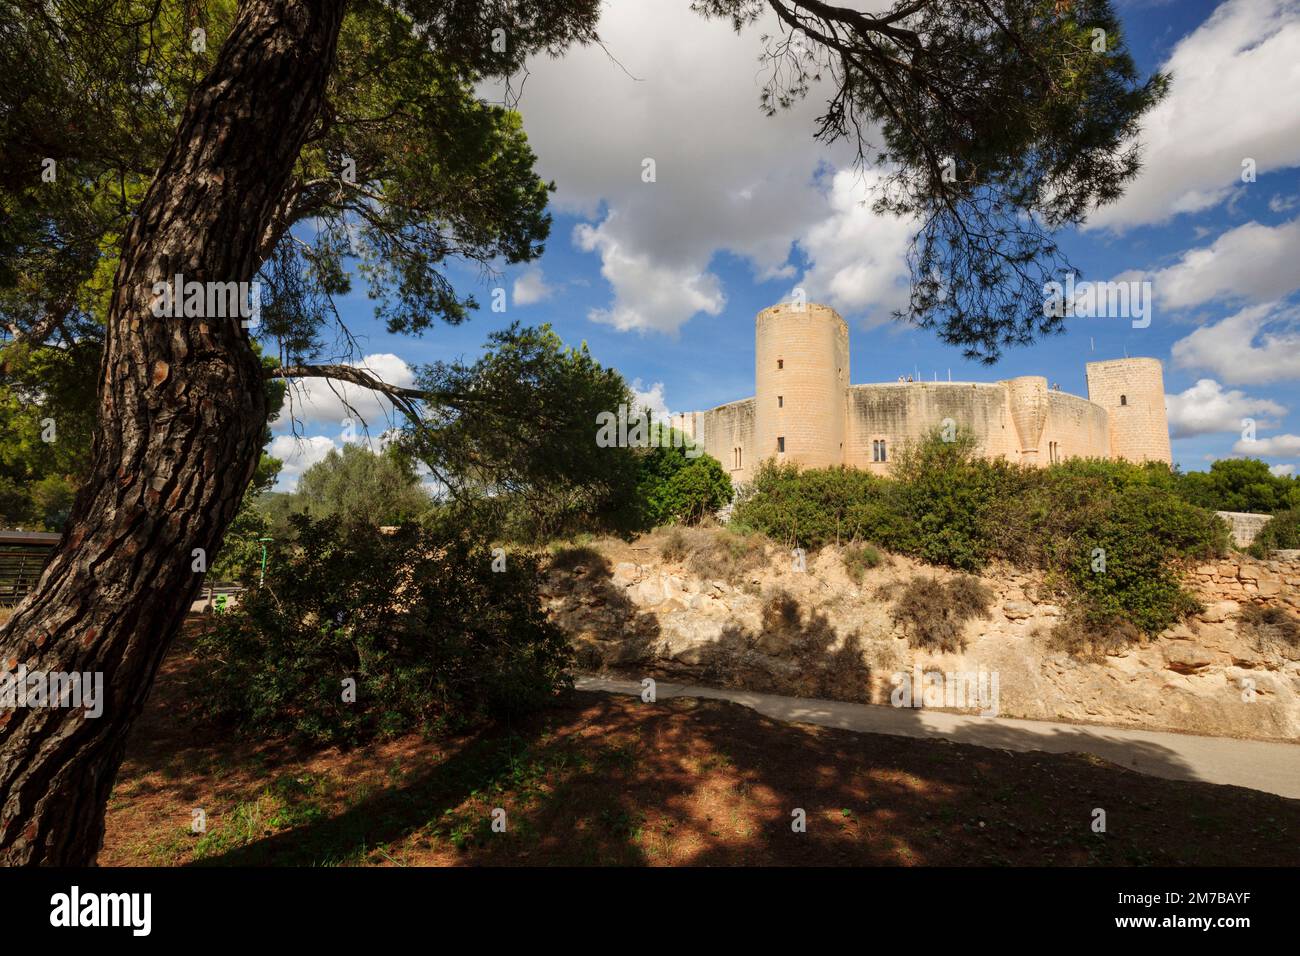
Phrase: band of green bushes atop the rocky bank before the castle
pixel 1112 534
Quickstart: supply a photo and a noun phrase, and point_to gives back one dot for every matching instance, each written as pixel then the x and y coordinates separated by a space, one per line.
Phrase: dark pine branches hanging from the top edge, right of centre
pixel 996 123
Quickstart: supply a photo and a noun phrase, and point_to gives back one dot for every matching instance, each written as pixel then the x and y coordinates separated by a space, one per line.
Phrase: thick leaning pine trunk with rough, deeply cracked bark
pixel 183 409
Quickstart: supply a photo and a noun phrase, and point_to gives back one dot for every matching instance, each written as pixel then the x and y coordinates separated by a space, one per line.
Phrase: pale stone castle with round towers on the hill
pixel 805 410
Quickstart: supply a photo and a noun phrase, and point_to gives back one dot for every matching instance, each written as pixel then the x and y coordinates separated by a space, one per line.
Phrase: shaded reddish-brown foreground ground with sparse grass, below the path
pixel 605 780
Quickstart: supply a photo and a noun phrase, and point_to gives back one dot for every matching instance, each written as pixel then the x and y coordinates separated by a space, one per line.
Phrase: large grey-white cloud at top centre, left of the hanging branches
pixel 683 92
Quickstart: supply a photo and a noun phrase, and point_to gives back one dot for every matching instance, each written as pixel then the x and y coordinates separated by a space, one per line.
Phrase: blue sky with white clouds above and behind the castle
pixel 664 279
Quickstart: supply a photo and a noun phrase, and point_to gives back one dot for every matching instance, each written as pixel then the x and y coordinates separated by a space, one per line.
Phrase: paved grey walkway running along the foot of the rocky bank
pixel 1259 765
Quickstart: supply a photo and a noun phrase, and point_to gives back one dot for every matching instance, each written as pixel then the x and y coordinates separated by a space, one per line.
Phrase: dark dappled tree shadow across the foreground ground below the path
pixel 616 781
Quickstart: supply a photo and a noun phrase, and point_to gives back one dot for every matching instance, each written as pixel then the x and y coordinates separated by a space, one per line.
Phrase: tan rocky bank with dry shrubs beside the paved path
pixel 821 634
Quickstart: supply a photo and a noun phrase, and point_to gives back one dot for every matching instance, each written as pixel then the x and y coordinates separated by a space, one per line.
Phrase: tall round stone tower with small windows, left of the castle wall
pixel 801 379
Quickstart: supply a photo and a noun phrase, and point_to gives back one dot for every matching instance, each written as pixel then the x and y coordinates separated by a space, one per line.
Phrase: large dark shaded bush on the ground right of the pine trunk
pixel 434 637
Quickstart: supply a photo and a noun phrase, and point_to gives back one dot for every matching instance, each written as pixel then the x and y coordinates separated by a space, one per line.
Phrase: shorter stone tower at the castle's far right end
pixel 1133 393
